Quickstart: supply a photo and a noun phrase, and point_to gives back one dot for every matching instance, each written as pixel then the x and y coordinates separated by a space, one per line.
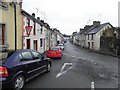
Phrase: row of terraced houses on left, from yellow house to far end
pixel 31 32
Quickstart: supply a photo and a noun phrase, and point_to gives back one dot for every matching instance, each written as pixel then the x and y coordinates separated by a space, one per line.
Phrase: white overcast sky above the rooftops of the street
pixel 69 16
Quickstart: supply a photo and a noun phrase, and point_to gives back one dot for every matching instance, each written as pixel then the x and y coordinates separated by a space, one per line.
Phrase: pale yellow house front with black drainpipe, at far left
pixel 7 25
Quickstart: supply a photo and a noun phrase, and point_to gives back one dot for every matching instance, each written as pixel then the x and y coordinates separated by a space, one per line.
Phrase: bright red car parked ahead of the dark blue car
pixel 54 52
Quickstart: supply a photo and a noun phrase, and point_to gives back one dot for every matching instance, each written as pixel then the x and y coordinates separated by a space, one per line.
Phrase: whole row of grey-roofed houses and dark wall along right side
pixel 98 37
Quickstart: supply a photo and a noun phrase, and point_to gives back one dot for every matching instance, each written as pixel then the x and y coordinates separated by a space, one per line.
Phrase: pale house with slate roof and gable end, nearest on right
pixel 94 34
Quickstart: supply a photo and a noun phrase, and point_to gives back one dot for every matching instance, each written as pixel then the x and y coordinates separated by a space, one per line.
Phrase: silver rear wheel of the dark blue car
pixel 19 82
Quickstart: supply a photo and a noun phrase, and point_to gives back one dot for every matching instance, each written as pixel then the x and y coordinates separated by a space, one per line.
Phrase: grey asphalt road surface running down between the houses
pixel 79 68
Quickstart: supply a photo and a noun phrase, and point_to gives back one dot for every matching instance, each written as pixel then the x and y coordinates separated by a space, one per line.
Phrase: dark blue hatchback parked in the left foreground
pixel 20 66
